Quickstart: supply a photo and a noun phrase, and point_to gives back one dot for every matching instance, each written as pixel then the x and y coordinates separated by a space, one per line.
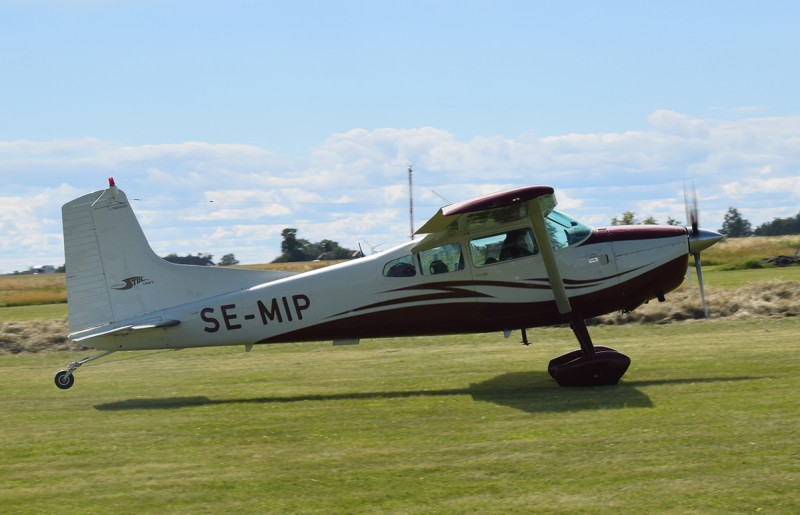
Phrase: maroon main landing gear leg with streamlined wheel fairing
pixel 590 365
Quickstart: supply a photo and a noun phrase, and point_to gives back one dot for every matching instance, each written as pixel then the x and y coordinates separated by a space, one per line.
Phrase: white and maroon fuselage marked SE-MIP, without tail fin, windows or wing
pixel 614 269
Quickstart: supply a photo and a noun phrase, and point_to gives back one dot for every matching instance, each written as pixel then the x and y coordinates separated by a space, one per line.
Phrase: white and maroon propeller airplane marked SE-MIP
pixel 499 262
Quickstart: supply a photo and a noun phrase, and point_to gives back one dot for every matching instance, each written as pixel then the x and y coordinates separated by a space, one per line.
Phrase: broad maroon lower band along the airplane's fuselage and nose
pixel 486 316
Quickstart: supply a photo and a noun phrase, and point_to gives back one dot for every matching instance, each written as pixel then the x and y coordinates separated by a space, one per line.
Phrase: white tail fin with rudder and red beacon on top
pixel 113 275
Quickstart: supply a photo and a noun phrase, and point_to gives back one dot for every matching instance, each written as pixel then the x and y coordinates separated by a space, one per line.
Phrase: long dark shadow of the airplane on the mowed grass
pixel 532 392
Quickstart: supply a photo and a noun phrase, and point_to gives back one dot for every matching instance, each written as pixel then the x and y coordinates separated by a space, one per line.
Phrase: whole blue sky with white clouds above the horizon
pixel 227 122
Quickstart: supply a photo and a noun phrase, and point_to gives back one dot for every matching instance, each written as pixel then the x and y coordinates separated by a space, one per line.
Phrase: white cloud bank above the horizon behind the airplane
pixel 201 197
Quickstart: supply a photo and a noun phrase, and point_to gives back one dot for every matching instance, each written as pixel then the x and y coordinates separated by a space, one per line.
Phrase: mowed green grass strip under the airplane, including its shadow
pixel 705 421
